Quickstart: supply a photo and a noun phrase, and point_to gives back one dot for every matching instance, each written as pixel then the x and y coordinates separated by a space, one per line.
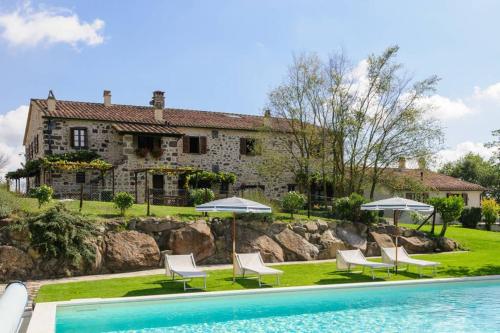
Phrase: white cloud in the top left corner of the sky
pixel 29 27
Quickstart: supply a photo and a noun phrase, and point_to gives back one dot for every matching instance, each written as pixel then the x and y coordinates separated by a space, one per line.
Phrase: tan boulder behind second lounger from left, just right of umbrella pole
pixel 249 240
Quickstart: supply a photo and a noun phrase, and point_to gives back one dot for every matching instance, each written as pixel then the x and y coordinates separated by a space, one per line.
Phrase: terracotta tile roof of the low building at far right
pixel 437 180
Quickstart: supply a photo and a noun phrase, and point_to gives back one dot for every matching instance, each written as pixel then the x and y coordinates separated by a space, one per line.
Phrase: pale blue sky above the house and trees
pixel 226 55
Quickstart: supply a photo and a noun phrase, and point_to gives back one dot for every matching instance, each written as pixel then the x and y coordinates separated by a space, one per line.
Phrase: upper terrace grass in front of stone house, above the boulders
pixel 105 210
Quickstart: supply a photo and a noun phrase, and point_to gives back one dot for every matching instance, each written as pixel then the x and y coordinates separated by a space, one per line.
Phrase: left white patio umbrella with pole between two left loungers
pixel 234 205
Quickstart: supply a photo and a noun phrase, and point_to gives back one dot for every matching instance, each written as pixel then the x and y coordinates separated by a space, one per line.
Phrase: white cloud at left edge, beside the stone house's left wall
pixel 12 126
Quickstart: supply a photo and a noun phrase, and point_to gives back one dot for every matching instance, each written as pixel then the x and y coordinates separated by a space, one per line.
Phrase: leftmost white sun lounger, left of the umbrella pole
pixel 184 266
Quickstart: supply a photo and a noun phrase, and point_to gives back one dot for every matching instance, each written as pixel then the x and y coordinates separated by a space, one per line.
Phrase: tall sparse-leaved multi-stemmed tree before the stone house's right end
pixel 349 128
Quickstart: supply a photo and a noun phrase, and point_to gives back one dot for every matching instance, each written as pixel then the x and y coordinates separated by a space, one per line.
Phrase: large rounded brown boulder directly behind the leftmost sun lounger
pixel 193 238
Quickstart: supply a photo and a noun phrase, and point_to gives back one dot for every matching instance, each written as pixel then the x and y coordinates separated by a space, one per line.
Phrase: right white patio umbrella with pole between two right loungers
pixel 397 205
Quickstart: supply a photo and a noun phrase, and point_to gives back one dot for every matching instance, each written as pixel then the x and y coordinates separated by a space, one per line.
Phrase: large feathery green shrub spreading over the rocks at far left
pixel 58 233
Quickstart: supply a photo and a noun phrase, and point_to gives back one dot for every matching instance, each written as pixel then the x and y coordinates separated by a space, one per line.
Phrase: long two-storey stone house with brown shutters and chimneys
pixel 134 137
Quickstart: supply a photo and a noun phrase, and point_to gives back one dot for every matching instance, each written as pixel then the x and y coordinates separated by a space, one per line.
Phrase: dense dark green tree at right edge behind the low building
pixel 475 169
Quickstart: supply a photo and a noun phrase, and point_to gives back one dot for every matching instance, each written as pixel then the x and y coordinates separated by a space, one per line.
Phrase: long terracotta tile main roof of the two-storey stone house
pixel 145 115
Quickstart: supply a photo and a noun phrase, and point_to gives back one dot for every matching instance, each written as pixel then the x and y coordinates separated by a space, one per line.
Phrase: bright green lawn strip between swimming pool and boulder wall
pixel 482 259
